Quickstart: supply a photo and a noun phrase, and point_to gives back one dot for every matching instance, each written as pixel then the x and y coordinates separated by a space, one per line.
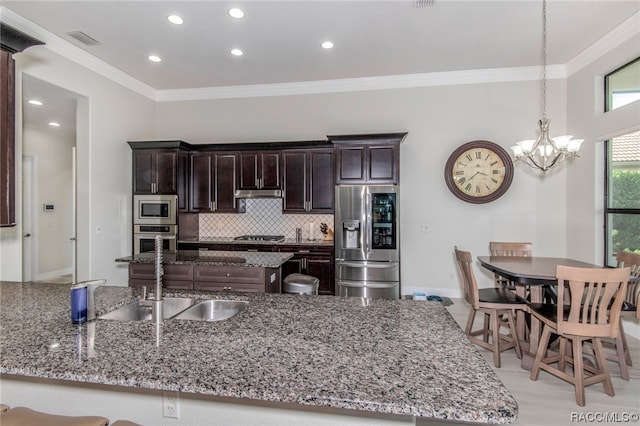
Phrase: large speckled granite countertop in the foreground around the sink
pixel 387 356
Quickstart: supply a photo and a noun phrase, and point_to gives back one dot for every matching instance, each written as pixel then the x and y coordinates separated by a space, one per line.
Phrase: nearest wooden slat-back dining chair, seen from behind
pixel 594 298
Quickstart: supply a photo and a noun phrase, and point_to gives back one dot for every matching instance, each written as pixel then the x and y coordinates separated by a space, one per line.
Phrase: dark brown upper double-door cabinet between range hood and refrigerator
pixel 308 181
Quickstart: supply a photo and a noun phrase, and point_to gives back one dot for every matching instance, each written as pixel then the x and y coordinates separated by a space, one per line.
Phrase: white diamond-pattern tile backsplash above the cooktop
pixel 263 216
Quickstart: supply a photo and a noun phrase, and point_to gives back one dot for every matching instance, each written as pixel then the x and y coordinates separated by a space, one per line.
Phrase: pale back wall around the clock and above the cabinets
pixel 438 119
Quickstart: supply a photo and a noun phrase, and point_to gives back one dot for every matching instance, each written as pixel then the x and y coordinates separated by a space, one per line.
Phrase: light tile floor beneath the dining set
pixel 550 400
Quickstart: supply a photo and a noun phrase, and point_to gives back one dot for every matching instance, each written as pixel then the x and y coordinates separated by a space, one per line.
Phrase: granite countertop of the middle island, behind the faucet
pixel 214 257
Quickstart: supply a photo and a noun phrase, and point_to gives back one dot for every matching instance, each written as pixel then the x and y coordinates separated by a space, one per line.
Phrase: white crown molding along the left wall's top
pixel 75 54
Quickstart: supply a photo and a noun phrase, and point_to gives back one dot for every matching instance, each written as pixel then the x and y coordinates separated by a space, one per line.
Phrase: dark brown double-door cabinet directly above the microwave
pixel 155 171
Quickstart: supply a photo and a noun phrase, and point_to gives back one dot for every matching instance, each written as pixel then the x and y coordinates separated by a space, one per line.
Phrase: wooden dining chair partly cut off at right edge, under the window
pixel 629 310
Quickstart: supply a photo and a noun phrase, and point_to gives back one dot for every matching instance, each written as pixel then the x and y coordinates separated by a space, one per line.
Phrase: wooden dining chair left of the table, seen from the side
pixel 498 306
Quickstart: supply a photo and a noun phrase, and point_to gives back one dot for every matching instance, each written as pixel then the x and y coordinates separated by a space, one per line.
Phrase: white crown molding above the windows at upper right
pixel 611 40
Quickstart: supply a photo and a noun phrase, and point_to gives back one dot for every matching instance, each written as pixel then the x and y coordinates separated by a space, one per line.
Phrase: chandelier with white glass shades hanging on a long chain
pixel 545 152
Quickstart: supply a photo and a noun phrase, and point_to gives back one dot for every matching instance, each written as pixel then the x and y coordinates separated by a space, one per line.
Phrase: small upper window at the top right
pixel 622 86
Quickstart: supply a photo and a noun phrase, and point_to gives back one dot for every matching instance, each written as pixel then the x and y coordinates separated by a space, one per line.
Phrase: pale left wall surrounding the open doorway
pixel 109 115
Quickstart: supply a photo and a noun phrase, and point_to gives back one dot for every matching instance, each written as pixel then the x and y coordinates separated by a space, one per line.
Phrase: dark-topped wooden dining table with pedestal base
pixel 531 275
